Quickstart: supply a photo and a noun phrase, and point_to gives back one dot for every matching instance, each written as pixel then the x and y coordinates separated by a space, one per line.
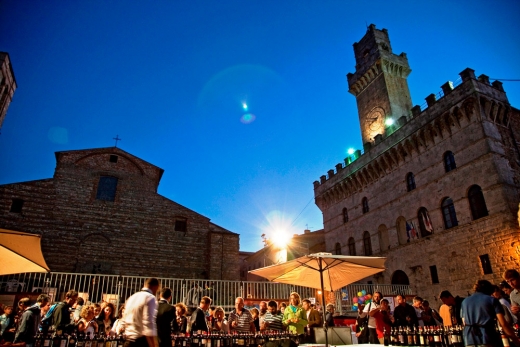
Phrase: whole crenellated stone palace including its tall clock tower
pixel 436 190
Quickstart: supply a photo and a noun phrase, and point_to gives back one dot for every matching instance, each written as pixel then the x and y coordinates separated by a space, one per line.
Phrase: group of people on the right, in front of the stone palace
pixel 487 317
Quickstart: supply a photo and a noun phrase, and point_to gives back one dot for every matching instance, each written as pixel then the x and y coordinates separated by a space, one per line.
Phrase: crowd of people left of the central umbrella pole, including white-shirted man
pixel 147 322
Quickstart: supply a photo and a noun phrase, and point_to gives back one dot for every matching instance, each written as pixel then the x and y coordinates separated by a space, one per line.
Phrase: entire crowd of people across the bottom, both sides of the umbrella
pixel 145 321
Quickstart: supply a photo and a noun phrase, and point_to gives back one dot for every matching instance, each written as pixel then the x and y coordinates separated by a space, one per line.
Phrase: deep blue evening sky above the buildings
pixel 170 78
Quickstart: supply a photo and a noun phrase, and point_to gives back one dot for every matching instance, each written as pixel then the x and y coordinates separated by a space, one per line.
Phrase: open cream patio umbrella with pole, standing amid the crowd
pixel 323 271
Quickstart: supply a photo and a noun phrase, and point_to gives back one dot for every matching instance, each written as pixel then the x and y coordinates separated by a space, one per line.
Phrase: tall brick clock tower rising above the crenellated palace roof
pixel 379 83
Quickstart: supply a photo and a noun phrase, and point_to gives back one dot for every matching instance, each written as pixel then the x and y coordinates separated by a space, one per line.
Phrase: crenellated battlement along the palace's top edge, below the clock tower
pixel 440 112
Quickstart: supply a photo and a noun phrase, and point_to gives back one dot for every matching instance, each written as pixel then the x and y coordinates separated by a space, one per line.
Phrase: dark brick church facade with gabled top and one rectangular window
pixel 101 213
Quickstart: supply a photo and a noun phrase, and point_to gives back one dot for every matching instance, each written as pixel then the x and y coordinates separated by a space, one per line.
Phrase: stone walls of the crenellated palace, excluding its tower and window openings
pixel 477 124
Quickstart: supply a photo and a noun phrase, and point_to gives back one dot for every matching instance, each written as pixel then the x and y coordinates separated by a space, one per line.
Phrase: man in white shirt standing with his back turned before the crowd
pixel 141 316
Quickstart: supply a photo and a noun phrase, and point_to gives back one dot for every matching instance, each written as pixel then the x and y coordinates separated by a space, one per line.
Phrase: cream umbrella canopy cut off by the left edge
pixel 20 252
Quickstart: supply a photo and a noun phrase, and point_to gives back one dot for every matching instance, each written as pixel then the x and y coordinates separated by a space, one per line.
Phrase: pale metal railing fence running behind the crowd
pixel 116 289
